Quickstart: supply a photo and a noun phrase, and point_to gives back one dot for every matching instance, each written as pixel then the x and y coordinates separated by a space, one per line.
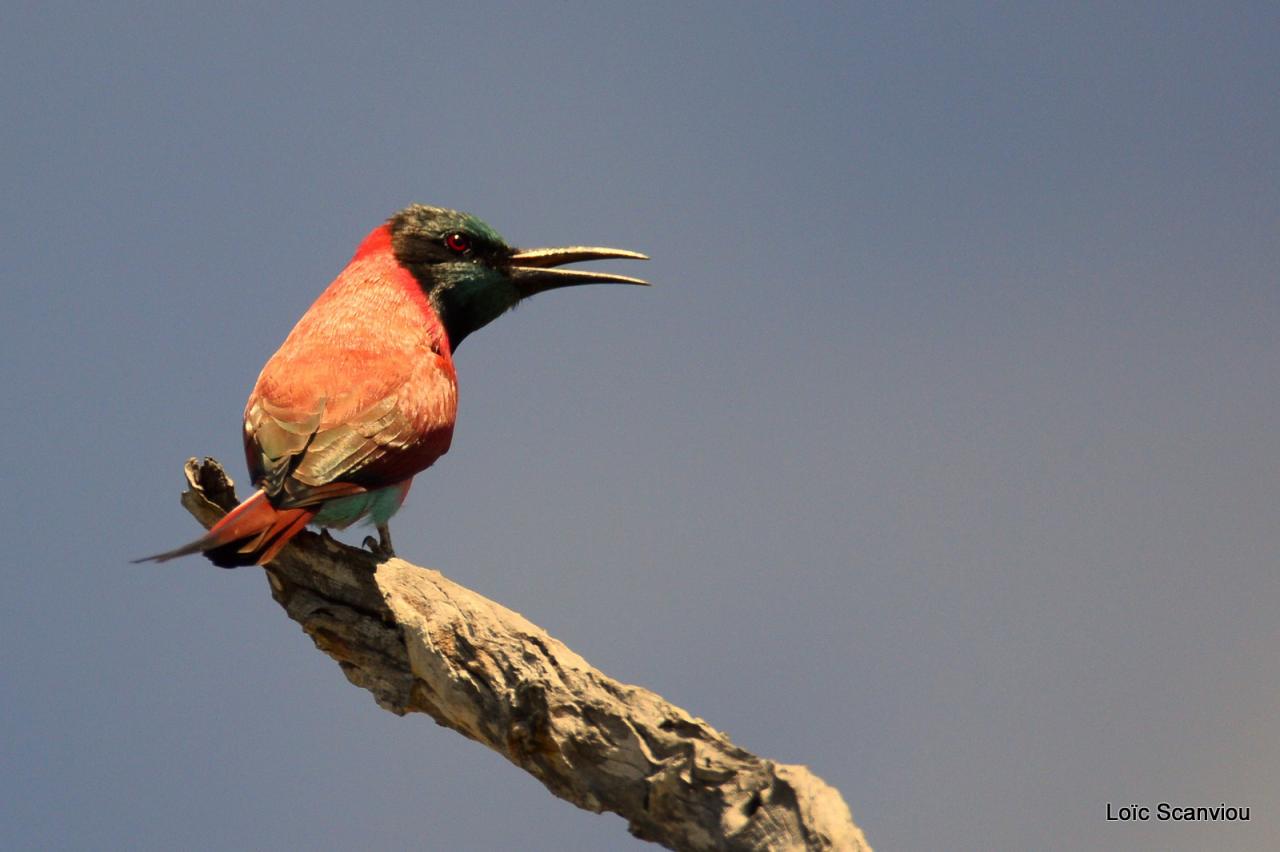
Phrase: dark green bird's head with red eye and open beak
pixel 472 276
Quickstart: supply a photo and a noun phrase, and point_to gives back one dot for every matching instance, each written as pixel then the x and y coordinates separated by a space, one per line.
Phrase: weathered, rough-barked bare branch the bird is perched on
pixel 423 644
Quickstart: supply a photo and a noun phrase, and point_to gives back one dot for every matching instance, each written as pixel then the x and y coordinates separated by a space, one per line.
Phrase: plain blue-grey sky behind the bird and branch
pixel 944 457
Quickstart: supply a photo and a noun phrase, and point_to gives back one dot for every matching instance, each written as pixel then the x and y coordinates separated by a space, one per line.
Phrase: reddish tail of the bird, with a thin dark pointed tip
pixel 249 535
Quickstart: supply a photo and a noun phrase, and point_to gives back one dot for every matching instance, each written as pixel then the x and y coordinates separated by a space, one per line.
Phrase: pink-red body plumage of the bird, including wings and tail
pixel 346 406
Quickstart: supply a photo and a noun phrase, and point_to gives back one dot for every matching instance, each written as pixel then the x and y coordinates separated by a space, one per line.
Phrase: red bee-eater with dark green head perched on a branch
pixel 363 395
